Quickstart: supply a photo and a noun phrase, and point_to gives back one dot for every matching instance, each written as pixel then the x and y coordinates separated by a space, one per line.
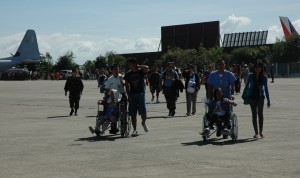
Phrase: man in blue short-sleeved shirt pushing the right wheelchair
pixel 223 79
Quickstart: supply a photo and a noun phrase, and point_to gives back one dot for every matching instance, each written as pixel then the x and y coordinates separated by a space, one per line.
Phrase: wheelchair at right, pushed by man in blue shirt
pixel 217 126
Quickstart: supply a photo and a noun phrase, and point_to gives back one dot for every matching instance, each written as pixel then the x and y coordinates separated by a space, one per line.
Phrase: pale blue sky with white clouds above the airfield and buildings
pixel 93 27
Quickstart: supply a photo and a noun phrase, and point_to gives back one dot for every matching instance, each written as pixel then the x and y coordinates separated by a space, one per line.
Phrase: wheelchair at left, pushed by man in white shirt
pixel 122 125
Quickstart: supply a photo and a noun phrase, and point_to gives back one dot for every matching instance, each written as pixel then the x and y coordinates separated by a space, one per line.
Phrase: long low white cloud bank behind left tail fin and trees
pixel 84 47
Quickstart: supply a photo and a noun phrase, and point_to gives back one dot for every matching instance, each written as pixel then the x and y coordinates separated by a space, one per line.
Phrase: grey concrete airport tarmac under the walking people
pixel 39 139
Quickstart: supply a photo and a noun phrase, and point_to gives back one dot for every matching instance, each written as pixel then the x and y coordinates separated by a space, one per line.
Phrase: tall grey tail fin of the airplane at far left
pixel 29 46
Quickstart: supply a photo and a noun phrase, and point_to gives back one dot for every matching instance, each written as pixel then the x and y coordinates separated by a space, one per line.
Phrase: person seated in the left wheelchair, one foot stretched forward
pixel 110 103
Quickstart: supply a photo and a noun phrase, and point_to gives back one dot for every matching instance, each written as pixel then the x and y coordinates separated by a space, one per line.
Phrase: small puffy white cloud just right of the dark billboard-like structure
pixel 233 23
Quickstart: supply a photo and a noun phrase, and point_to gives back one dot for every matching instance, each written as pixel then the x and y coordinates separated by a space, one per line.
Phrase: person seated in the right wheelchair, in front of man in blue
pixel 219 112
